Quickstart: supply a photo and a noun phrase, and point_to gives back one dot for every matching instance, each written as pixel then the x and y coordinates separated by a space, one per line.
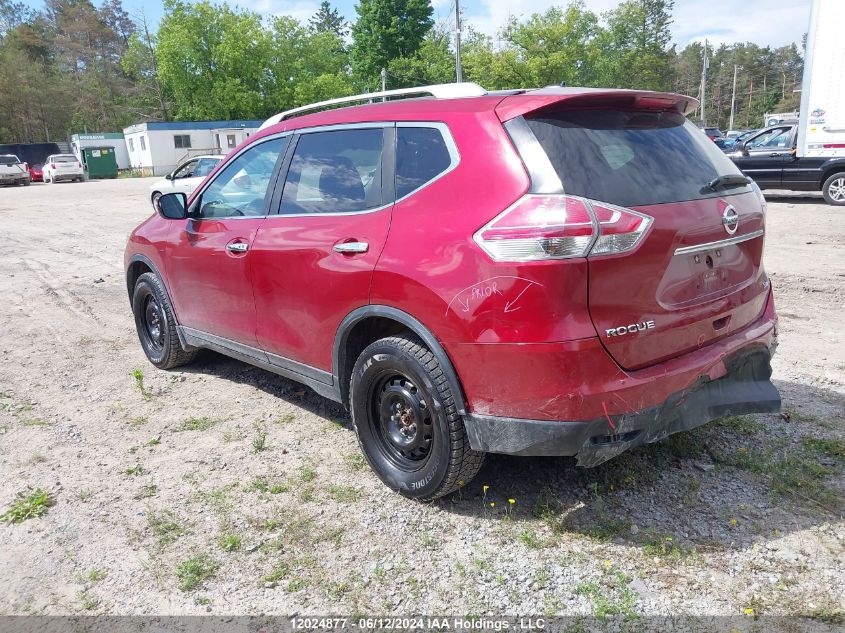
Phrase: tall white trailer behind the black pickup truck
pixel 821 124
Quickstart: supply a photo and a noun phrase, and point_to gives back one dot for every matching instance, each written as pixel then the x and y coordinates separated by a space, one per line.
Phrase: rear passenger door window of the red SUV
pixel 335 172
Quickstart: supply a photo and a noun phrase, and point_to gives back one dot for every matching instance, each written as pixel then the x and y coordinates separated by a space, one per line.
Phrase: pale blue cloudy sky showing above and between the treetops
pixel 774 22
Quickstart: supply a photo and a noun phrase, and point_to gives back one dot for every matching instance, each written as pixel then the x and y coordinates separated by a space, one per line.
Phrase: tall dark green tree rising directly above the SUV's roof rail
pixel 386 30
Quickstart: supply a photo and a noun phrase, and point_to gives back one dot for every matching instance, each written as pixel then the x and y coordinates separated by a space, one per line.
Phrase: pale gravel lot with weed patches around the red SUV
pixel 226 489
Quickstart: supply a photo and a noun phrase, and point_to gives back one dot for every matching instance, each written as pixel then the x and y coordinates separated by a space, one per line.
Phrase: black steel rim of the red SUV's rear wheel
pixel 401 420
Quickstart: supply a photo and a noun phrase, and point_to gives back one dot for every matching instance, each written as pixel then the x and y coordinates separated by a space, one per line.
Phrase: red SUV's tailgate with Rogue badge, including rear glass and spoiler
pixel 697 274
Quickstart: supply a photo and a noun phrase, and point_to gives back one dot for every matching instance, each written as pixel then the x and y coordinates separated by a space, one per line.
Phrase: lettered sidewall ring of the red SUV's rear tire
pixel 421 483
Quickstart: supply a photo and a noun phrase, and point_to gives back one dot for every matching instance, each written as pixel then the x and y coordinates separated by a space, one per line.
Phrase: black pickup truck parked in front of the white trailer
pixel 770 158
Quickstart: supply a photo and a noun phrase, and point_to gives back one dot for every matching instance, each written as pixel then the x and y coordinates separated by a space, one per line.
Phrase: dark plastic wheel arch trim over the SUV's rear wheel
pixel 369 323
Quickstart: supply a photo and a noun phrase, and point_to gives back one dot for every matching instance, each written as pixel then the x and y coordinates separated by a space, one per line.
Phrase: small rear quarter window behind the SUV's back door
pixel 421 156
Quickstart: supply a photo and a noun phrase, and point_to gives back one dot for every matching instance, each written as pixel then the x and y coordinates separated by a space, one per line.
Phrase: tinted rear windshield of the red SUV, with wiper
pixel 631 158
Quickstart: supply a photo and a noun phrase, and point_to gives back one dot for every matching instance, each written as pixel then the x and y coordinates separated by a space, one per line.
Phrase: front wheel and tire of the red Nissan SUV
pixel 156 324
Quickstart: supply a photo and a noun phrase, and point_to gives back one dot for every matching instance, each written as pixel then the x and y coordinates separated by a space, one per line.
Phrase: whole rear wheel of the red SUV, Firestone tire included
pixel 405 418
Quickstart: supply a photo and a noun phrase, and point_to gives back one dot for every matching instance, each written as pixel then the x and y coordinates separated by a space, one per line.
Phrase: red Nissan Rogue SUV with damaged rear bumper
pixel 562 271
